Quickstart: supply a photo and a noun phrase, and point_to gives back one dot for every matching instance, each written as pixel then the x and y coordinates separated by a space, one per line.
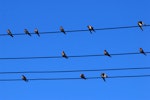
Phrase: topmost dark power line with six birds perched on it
pixel 85 30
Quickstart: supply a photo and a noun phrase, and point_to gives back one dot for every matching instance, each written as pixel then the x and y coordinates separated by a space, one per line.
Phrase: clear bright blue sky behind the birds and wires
pixel 49 15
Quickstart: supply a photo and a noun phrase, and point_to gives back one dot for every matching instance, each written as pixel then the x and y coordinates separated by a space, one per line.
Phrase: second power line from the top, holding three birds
pixel 73 56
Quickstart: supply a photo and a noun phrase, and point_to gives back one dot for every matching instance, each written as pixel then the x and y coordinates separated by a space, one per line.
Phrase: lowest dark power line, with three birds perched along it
pixel 52 79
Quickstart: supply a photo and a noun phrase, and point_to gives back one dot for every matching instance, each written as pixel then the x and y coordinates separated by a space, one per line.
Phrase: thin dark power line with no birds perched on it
pixel 72 71
